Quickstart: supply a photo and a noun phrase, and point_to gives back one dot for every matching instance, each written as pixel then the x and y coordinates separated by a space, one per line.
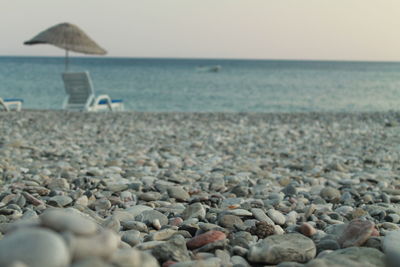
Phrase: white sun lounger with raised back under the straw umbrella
pixel 80 94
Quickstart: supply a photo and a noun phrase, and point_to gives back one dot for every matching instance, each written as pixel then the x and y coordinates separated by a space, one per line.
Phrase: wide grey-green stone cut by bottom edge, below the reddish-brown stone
pixel 353 256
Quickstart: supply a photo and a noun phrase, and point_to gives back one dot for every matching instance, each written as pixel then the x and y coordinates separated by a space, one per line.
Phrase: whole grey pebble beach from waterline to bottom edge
pixel 207 189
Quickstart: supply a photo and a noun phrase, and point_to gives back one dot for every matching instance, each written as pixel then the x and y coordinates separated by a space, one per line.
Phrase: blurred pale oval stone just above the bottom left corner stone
pixel 62 220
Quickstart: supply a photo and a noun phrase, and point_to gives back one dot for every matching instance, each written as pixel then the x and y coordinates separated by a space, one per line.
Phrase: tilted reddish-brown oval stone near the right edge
pixel 356 233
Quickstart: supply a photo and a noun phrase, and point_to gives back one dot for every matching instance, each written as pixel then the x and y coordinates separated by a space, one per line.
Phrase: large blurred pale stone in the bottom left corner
pixel 35 247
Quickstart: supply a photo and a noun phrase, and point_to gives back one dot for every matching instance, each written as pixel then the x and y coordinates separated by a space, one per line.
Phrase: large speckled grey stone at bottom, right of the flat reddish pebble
pixel 279 248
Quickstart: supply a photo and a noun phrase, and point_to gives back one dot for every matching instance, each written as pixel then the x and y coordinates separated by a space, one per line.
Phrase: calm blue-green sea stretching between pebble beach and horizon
pixel 240 86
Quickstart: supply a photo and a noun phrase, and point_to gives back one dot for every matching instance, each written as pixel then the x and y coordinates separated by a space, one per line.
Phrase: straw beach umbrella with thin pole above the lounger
pixel 69 37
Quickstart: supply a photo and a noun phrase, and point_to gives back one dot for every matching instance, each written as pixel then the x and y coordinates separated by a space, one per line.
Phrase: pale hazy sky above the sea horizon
pixel 254 29
